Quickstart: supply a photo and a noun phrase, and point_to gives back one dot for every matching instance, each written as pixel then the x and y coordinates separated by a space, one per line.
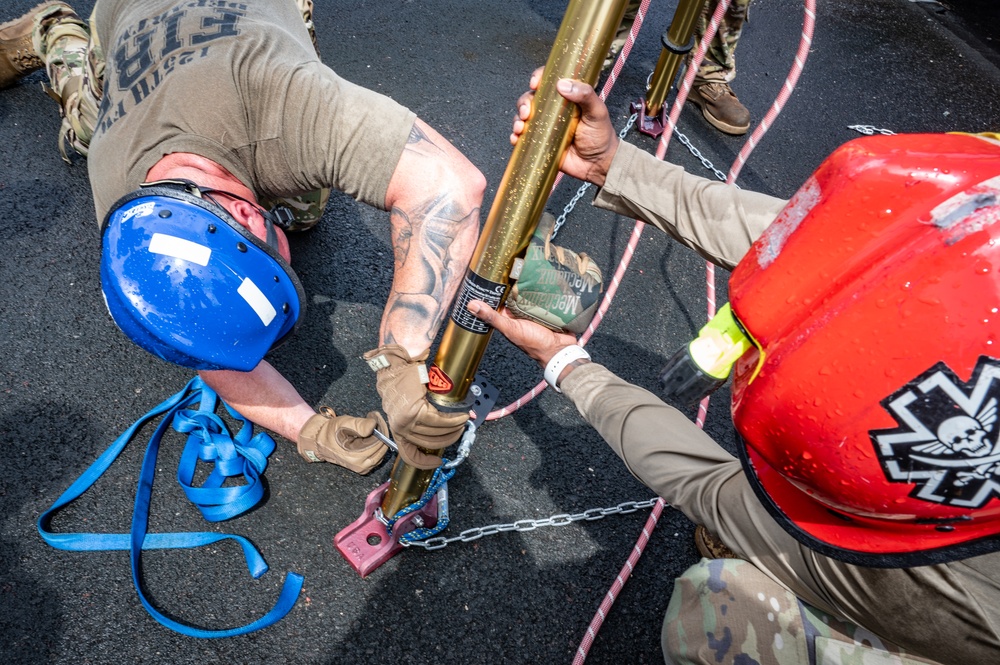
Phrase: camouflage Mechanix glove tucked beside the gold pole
pixel 557 287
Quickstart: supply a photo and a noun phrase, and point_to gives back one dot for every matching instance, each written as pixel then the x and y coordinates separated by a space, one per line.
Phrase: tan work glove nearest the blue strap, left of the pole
pixel 345 440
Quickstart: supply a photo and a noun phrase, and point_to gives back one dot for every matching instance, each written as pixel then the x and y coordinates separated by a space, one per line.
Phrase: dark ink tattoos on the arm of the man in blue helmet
pixel 431 241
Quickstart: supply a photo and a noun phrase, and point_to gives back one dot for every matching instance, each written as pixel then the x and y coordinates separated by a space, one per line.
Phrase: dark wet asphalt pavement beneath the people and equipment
pixel 70 383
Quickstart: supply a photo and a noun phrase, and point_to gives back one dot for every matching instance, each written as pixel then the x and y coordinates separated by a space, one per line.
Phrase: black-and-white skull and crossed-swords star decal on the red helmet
pixel 946 443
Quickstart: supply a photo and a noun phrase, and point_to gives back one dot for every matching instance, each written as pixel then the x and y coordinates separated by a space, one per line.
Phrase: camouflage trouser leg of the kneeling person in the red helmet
pixel 728 611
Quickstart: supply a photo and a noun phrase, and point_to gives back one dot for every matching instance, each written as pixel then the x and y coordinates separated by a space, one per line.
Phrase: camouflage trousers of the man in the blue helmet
pixel 74 62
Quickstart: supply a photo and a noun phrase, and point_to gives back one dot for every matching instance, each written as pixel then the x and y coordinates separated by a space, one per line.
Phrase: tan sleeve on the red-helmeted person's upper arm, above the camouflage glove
pixel 717 220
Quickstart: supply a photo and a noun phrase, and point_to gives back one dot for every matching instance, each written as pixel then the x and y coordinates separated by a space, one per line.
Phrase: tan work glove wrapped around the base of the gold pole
pixel 417 426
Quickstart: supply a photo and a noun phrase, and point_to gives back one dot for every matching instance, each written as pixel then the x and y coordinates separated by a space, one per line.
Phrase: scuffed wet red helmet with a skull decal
pixel 868 405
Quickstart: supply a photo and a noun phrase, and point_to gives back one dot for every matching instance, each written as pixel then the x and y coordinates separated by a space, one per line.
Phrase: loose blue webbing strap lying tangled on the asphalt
pixel 209 440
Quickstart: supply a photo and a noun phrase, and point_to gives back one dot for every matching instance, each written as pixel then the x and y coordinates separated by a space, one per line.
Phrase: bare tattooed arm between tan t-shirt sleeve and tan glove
pixel 434 198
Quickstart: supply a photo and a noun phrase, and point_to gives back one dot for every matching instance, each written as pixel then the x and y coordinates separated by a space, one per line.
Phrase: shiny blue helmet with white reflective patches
pixel 186 282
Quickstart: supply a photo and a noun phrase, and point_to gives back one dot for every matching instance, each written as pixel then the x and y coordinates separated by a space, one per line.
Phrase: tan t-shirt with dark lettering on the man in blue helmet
pixel 238 83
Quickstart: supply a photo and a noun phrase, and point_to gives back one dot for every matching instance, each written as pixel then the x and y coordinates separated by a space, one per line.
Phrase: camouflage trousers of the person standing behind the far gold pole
pixel 719 63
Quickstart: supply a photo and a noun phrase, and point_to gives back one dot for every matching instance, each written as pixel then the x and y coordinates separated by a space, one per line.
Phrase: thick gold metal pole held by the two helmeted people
pixel 585 35
